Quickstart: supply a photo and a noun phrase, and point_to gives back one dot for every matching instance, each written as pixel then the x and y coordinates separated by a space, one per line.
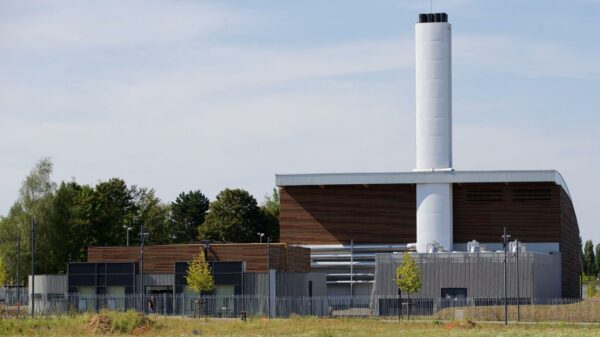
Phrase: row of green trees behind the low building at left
pixel 70 217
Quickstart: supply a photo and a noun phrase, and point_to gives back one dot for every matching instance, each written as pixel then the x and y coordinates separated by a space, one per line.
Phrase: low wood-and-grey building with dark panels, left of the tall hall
pixel 115 274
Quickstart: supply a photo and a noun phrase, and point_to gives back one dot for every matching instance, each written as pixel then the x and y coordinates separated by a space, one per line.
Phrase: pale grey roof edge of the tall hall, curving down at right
pixel 449 177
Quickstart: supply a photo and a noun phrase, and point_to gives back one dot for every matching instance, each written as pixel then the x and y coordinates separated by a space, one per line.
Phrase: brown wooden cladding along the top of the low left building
pixel 161 258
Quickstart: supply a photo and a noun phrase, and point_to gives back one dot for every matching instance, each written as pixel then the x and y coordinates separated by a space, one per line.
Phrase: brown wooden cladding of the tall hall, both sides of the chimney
pixel 336 214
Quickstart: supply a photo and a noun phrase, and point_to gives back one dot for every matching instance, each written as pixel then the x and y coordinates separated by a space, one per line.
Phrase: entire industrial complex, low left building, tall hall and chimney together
pixel 341 233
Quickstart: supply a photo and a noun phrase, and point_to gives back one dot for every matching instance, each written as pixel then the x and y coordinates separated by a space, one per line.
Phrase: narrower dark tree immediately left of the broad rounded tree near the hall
pixel 187 214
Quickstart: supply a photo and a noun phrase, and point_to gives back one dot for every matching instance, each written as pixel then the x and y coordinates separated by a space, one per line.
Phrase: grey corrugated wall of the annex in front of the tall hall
pixel 481 273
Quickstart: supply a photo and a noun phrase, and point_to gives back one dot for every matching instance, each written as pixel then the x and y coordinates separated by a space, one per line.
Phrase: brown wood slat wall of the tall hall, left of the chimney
pixel 337 214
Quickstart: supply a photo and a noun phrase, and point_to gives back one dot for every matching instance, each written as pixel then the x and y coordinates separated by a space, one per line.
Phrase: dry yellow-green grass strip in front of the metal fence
pixel 132 324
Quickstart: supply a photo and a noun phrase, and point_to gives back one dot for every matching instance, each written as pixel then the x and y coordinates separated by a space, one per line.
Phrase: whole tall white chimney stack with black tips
pixel 434 128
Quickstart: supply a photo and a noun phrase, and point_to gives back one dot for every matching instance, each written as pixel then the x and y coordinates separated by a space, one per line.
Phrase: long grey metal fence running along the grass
pixel 476 309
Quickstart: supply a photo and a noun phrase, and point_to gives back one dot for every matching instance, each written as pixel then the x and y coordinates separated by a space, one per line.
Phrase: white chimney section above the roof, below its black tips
pixel 434 95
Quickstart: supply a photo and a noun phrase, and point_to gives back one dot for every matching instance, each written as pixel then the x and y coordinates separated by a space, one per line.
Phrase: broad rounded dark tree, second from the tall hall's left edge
pixel 234 216
